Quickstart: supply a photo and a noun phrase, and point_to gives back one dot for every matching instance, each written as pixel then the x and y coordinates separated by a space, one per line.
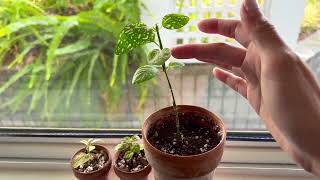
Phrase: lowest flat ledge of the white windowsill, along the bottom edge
pixel 226 171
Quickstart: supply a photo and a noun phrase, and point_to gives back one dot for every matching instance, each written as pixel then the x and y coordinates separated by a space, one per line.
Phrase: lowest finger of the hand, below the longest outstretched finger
pixel 236 83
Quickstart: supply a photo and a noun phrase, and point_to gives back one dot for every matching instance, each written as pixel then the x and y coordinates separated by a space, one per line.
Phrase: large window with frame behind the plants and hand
pixel 59 79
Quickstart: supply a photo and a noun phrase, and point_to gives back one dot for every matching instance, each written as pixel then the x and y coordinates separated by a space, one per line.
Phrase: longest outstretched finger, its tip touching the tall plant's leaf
pixel 218 53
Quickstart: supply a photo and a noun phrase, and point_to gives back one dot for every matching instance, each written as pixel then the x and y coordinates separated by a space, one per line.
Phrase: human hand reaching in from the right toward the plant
pixel 270 75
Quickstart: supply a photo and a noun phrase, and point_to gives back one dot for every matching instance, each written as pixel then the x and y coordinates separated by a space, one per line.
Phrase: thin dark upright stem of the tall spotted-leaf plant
pixel 174 105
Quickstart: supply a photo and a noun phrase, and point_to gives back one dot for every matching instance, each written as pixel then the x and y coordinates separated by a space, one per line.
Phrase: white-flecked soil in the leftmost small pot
pixel 100 158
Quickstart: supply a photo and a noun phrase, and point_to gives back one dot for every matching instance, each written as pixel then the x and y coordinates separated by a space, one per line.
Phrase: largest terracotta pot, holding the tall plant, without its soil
pixel 171 167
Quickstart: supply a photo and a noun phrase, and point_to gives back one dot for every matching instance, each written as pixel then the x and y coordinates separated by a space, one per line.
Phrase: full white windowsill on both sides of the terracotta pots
pixel 48 158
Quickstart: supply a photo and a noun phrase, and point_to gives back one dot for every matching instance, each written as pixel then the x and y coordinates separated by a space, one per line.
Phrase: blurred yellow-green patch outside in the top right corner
pixel 311 20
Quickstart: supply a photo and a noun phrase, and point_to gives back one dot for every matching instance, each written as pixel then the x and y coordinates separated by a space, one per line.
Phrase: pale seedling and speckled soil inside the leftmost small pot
pixel 91 159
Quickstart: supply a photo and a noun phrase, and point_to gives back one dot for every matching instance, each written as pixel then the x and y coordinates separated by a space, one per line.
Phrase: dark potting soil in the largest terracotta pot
pixel 200 134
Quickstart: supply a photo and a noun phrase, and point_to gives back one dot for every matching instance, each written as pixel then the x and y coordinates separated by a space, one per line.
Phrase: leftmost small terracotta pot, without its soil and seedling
pixel 100 174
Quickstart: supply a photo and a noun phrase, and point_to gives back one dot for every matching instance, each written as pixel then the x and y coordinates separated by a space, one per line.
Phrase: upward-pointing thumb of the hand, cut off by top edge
pixel 262 33
